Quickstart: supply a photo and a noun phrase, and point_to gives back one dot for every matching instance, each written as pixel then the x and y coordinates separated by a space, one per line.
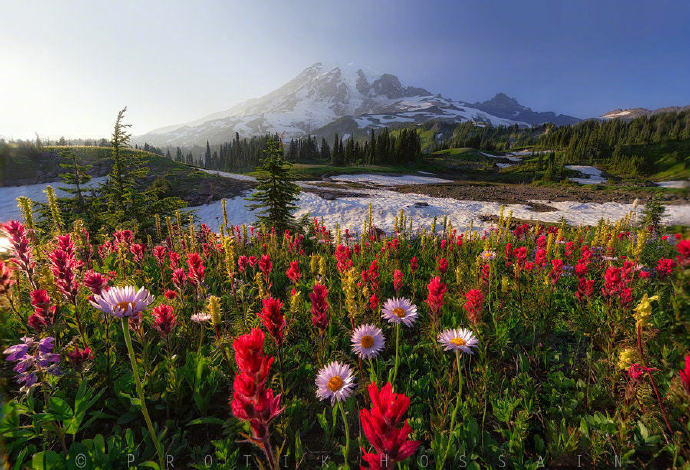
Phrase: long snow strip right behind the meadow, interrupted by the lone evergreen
pixel 386 205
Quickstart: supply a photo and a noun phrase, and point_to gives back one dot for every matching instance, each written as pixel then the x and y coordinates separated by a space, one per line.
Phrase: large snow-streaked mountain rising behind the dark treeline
pixel 320 97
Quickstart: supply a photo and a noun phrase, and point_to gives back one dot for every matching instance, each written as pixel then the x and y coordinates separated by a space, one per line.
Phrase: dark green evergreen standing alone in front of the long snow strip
pixel 275 196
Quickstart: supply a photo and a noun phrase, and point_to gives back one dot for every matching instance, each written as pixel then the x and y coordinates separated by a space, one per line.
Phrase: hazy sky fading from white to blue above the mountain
pixel 67 67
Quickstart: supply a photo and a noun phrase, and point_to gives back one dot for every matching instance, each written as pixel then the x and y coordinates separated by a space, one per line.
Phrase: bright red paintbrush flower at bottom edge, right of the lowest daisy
pixel 379 426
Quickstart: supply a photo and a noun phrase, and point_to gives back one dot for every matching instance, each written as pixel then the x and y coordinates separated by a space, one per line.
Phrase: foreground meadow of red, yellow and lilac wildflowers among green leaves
pixel 520 347
